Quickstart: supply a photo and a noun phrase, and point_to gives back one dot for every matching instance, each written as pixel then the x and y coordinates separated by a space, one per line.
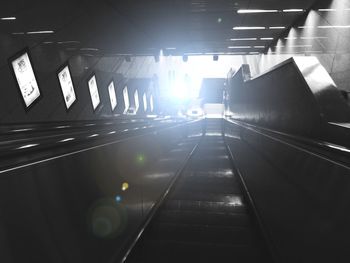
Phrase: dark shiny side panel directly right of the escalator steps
pixel 302 196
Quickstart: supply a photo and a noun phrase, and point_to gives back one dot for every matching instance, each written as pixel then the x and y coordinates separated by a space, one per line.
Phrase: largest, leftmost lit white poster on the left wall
pixel 26 79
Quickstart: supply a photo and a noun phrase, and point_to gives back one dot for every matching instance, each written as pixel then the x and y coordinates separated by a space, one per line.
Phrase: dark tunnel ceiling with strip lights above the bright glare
pixel 111 27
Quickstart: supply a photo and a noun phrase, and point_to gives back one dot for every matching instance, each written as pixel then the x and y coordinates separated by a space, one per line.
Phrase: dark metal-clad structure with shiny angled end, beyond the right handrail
pixel 297 96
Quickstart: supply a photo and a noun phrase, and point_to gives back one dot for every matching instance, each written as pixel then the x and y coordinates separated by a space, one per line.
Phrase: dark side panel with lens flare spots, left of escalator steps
pixel 86 206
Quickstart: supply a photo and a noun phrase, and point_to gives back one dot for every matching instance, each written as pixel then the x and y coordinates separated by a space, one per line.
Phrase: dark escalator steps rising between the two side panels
pixel 206 217
